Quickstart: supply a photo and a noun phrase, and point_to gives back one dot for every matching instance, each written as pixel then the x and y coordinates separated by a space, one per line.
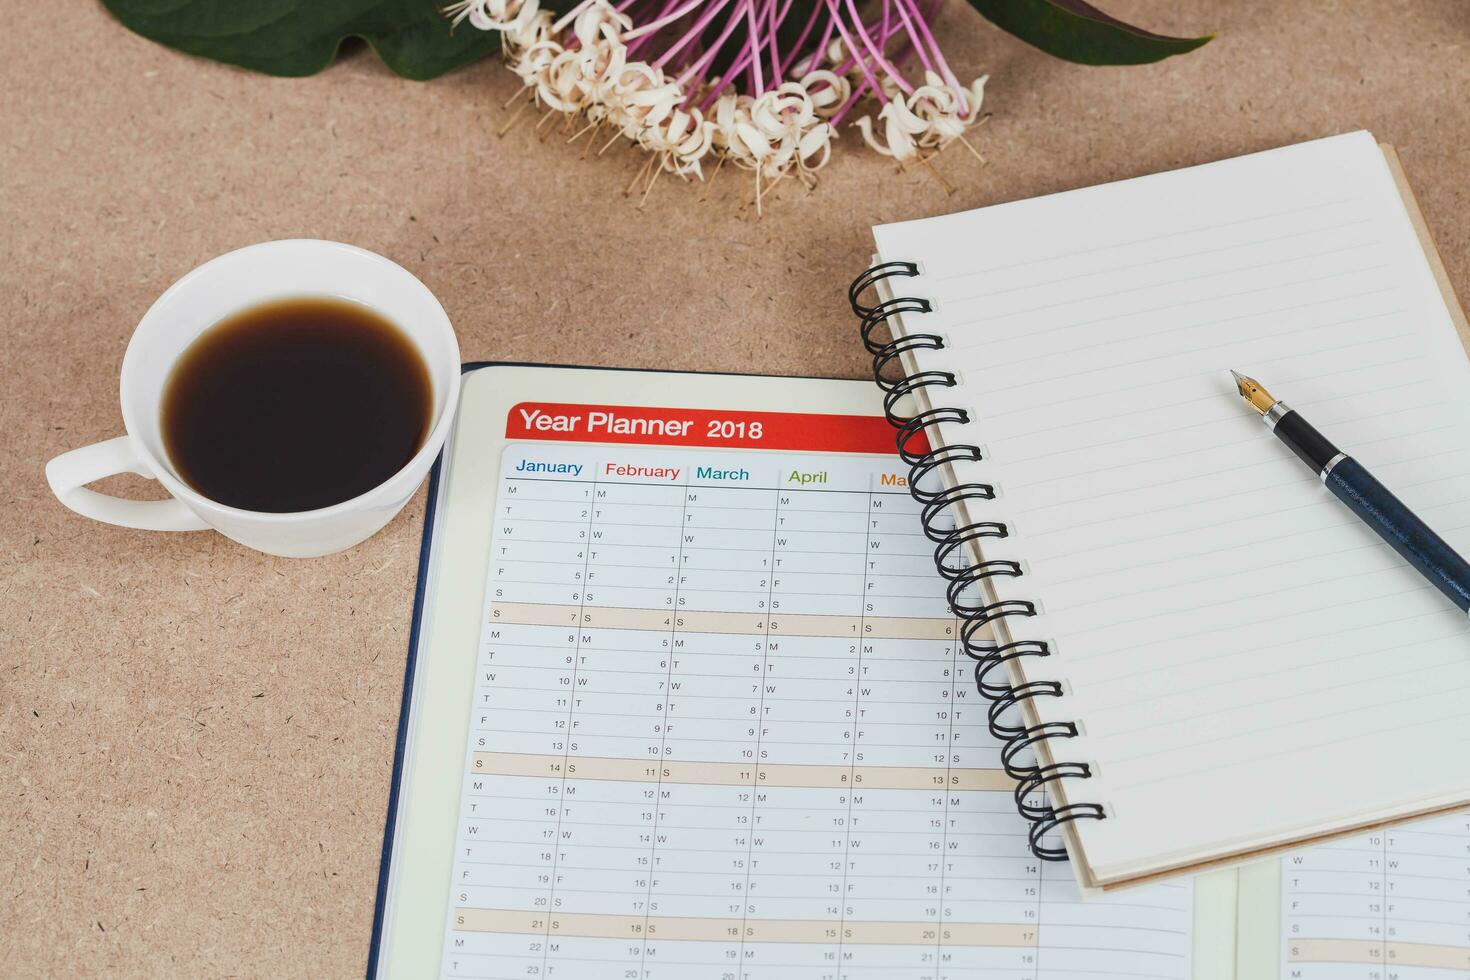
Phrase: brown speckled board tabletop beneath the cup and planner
pixel 196 738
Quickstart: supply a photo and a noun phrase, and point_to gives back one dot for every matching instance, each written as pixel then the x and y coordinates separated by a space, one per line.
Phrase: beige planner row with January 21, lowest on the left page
pixel 689 929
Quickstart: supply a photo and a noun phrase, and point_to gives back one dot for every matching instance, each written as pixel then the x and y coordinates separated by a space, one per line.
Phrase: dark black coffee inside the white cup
pixel 296 405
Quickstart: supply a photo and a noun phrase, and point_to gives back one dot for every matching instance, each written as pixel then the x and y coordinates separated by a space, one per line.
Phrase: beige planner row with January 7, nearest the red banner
pixel 705 622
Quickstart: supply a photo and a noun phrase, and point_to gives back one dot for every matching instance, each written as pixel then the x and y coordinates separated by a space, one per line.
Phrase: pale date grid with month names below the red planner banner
pixel 724 728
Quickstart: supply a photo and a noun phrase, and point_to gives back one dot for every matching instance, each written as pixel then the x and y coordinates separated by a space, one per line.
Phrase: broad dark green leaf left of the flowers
pixel 302 37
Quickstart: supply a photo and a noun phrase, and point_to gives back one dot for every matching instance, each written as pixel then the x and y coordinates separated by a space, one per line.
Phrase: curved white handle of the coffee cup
pixel 70 474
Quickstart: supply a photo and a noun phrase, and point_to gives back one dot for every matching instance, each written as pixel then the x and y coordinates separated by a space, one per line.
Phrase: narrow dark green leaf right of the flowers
pixel 1080 33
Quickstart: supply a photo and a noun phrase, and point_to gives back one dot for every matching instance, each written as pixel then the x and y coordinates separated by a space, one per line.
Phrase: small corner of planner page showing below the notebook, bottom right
pixel 1393 904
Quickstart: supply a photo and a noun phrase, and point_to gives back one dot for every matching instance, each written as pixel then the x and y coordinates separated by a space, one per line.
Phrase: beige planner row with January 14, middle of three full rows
pixel 633 771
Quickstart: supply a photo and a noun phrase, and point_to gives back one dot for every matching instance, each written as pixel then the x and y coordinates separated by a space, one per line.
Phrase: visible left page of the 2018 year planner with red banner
pixel 686 700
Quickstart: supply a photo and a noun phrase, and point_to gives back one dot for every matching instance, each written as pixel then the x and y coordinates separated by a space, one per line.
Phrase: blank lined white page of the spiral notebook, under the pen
pixel 1249 662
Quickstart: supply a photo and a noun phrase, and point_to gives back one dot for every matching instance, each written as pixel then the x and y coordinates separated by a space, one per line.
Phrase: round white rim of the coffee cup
pixel 164 471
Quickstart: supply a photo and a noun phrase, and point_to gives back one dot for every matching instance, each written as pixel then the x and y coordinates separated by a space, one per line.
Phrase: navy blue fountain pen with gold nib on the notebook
pixel 1365 496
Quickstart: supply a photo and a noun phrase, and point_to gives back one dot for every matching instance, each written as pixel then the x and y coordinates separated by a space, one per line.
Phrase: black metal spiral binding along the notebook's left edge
pixel 967 580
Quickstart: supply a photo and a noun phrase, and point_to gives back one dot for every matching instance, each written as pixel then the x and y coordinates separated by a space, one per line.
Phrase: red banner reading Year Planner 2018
pixel 633 425
